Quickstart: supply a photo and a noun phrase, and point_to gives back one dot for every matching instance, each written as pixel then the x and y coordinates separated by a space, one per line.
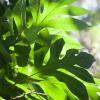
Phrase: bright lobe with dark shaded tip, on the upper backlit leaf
pixel 67 24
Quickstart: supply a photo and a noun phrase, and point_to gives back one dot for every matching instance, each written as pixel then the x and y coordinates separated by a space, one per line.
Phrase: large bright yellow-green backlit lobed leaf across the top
pixel 35 15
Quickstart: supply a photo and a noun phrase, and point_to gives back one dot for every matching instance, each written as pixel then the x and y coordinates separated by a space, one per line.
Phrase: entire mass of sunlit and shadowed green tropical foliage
pixel 38 60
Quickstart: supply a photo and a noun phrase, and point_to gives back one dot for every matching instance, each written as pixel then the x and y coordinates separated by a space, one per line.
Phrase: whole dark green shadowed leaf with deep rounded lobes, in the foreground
pixel 67 62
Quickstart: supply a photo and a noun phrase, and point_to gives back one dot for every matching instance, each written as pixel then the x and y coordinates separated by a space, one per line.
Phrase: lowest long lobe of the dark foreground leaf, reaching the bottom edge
pixel 74 85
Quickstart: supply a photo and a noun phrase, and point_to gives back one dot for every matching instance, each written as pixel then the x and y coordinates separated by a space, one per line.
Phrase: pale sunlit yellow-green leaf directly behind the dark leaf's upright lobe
pixel 70 42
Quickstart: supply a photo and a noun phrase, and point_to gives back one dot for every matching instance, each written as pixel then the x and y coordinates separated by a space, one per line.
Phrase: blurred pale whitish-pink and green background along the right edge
pixel 90 38
